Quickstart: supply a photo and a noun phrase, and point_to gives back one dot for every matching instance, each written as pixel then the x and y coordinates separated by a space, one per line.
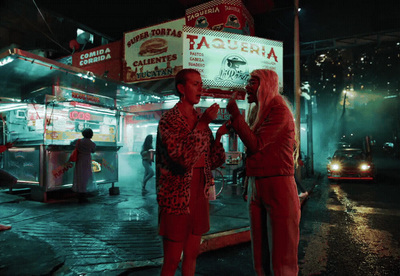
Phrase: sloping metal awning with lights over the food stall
pixel 22 72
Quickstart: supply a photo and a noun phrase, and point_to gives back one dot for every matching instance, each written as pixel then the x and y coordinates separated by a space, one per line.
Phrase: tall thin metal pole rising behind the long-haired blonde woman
pixel 297 89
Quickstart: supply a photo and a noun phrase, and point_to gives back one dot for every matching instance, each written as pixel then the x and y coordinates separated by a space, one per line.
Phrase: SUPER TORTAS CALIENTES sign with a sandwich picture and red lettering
pixel 154 52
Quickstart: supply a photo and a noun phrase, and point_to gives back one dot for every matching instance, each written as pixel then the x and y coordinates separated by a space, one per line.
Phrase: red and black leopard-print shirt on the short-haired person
pixel 178 149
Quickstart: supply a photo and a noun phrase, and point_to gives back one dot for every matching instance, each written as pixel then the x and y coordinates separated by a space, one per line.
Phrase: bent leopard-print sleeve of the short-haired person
pixel 183 146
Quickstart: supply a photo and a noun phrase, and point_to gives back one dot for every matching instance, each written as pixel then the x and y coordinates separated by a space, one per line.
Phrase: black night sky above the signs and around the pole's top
pixel 319 19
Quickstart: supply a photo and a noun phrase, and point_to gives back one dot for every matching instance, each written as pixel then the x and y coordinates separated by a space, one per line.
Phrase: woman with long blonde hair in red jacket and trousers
pixel 272 194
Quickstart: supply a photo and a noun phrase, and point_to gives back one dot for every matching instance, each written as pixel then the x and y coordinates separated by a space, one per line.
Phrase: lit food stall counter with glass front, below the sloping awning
pixel 46 134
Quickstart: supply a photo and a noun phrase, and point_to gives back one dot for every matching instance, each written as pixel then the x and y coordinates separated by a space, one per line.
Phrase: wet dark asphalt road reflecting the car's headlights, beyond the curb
pixel 348 228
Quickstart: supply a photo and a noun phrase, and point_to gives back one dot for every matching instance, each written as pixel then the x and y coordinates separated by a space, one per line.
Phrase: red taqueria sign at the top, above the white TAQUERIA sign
pixel 221 15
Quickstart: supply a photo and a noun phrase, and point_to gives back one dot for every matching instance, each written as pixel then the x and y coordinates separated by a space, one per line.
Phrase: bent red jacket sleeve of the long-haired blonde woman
pixel 267 133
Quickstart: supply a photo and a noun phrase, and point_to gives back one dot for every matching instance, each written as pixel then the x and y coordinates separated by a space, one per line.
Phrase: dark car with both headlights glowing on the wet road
pixel 350 164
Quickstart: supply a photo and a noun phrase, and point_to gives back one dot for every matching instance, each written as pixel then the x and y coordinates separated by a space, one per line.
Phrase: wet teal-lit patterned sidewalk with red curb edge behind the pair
pixel 110 235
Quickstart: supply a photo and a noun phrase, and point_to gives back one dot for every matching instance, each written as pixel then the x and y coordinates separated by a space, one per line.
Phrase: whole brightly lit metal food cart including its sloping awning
pixel 45 123
